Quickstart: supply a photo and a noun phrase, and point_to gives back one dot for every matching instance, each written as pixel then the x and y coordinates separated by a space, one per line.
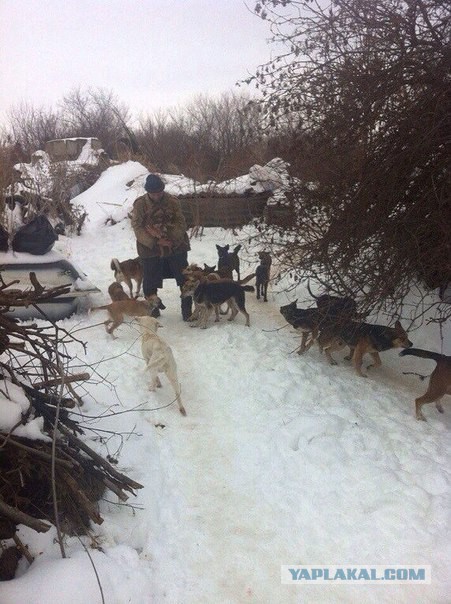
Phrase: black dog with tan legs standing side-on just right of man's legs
pixel 209 294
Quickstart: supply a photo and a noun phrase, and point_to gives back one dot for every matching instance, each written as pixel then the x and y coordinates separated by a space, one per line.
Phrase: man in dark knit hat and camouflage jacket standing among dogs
pixel 161 238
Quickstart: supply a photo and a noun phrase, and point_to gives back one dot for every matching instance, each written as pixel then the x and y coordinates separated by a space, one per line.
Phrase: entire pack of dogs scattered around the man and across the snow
pixel 334 323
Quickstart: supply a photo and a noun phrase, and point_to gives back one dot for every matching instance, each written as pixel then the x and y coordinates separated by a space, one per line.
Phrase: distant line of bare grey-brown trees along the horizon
pixel 208 138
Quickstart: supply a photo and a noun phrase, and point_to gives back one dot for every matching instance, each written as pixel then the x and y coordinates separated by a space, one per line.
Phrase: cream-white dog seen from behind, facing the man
pixel 158 357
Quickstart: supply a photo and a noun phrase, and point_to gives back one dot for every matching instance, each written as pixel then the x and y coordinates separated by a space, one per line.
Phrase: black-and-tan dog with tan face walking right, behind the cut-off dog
pixel 362 338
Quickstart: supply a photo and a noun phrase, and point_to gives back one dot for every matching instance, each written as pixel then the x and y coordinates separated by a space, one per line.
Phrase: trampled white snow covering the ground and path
pixel 281 460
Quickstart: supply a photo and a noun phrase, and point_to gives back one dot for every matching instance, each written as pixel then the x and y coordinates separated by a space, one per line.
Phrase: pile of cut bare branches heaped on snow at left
pixel 58 480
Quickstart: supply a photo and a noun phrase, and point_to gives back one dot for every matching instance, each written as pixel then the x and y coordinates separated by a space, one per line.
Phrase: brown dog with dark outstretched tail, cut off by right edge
pixel 439 382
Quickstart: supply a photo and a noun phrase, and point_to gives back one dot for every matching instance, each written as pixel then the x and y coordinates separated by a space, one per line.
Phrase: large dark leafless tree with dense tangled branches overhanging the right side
pixel 367 82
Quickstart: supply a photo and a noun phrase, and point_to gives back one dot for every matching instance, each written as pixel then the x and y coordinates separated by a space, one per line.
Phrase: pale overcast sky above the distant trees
pixel 151 53
